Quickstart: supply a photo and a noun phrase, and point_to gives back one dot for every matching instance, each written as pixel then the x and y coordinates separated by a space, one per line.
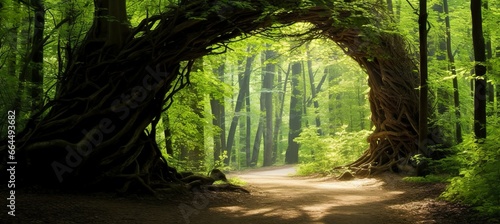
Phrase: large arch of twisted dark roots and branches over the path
pixel 95 135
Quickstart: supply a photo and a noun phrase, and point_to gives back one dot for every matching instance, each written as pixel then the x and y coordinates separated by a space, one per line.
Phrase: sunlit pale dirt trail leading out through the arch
pixel 288 199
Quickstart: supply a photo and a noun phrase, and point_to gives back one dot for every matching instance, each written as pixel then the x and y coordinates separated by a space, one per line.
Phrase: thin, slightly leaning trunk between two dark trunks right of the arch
pixel 451 59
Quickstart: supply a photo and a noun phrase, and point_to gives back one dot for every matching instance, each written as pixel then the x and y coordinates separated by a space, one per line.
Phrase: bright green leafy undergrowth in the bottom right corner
pixel 478 181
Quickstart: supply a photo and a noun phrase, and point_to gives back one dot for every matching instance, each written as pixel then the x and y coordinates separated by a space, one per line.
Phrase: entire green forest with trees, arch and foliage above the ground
pixel 127 95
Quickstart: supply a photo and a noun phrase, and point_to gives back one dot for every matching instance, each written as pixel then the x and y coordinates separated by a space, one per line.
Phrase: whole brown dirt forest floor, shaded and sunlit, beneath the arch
pixel 275 197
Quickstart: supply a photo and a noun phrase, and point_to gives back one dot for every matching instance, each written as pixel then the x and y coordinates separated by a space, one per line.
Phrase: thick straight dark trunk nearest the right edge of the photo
pixel 480 70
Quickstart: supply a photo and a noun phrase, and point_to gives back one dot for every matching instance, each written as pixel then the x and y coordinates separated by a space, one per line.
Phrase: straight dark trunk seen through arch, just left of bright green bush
pixel 292 152
